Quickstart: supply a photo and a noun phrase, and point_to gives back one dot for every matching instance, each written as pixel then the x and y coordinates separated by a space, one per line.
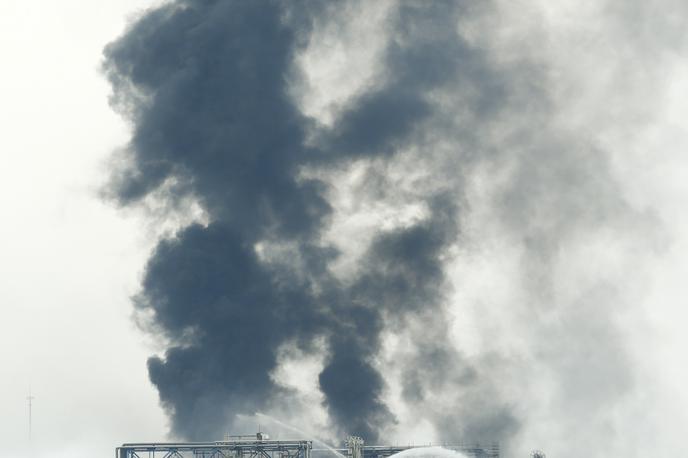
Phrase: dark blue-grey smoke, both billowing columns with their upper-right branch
pixel 205 84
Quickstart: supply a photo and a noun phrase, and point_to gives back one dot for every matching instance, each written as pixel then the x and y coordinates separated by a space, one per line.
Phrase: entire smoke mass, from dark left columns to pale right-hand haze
pixel 413 221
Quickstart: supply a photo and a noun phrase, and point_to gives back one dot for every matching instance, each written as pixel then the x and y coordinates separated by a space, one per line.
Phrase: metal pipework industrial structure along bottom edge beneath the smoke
pixel 259 446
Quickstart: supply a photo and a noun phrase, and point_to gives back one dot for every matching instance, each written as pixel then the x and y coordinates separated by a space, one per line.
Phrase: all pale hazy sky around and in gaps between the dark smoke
pixel 556 299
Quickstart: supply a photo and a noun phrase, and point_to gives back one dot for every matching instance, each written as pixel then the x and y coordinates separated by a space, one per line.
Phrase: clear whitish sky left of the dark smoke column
pixel 69 262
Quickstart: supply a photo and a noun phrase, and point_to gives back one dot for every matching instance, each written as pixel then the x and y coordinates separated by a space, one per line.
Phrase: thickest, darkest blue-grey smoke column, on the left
pixel 204 83
